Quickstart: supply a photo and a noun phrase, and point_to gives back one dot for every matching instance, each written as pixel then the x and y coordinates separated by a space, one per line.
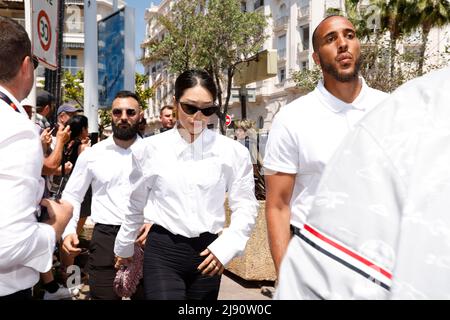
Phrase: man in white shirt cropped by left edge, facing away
pixel 26 246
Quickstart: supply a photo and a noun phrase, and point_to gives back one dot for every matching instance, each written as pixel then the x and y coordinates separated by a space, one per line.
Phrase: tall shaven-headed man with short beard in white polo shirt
pixel 306 132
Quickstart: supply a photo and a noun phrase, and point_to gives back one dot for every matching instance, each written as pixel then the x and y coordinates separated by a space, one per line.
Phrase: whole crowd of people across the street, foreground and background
pixel 356 186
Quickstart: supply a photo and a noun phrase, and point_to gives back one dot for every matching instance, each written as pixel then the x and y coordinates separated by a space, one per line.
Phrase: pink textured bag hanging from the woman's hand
pixel 127 278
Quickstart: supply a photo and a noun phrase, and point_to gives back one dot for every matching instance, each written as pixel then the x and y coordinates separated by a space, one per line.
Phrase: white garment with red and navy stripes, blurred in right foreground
pixel 380 224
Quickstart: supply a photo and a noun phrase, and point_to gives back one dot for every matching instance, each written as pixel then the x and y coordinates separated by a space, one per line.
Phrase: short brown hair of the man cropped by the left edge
pixel 15 46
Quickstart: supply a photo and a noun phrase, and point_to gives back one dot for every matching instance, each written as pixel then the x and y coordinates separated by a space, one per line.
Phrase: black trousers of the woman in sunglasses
pixel 170 267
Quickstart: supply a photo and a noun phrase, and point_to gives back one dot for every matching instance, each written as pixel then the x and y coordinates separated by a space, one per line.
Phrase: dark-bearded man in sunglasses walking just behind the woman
pixel 106 167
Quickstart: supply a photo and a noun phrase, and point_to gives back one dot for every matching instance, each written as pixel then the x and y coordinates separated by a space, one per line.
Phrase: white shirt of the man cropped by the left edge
pixel 26 246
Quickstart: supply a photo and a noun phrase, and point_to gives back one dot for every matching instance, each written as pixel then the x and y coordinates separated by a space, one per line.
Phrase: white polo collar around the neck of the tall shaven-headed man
pixel 336 104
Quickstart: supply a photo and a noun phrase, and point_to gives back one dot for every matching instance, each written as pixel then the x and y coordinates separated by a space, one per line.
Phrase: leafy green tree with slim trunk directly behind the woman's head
pixel 214 35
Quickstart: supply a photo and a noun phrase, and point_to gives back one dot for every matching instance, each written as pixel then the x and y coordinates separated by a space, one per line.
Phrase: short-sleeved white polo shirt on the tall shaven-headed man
pixel 304 135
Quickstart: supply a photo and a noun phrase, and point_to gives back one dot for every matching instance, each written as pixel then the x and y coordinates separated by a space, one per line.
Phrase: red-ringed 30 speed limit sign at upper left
pixel 45 20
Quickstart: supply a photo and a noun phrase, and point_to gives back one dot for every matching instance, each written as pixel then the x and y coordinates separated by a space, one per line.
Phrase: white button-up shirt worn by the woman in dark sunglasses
pixel 186 184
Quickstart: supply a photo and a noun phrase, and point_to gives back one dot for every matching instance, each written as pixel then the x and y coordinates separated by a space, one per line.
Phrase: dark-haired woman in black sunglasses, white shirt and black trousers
pixel 185 175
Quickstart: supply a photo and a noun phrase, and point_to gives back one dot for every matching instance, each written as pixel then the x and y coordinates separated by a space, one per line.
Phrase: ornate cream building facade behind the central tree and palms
pixel 290 28
